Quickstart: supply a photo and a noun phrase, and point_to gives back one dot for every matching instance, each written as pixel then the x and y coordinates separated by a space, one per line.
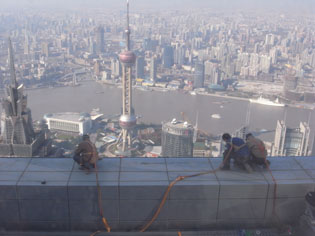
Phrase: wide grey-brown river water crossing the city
pixel 155 107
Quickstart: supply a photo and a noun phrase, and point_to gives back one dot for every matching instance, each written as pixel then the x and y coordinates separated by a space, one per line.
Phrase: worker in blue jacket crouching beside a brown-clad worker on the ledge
pixel 241 156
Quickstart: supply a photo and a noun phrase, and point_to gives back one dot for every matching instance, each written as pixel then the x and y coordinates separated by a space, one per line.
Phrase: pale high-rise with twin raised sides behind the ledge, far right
pixel 291 141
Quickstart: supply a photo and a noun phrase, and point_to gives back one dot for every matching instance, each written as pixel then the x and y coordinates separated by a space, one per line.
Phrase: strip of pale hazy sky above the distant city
pixel 155 4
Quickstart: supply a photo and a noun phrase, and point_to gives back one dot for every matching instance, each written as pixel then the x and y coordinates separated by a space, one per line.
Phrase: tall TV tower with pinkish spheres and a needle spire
pixel 127 120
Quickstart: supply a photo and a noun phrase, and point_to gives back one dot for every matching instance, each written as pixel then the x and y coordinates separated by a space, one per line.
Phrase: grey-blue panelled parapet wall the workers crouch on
pixel 54 195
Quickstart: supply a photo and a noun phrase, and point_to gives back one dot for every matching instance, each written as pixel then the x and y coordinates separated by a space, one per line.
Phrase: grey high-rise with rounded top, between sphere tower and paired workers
pixel 177 139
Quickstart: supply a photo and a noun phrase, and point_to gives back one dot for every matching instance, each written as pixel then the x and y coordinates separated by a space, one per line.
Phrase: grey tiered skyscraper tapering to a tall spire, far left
pixel 18 136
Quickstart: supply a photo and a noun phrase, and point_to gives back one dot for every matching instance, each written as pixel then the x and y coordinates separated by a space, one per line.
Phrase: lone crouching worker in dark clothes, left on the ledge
pixel 86 154
